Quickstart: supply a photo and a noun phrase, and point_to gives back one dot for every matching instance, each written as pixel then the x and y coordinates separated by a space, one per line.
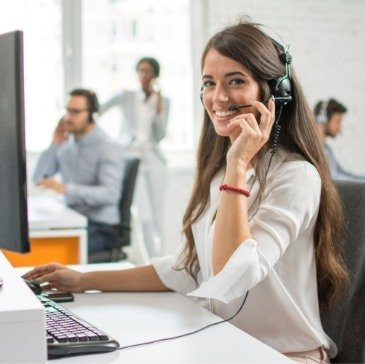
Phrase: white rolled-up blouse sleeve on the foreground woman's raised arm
pixel 290 204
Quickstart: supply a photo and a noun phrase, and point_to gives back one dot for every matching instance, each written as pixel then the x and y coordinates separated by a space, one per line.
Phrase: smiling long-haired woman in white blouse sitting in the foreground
pixel 263 226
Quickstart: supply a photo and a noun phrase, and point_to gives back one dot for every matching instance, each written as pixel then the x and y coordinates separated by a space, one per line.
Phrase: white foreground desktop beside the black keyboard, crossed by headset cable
pixel 138 317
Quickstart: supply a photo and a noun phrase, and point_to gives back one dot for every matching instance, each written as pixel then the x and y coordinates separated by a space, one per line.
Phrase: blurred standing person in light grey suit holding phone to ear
pixel 144 125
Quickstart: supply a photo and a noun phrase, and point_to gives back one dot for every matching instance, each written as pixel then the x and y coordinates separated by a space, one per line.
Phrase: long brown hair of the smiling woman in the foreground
pixel 247 44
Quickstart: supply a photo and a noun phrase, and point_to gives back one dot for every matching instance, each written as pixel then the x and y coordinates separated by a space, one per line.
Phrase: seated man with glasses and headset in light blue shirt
pixel 91 167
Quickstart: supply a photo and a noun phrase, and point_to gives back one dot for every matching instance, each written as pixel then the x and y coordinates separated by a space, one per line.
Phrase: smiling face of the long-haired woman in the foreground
pixel 226 83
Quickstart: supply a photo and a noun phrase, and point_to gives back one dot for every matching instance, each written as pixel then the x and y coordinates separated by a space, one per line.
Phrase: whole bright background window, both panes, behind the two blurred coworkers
pixel 115 34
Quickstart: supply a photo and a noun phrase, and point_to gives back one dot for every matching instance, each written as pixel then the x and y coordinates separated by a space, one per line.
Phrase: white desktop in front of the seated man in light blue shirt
pixel 48 213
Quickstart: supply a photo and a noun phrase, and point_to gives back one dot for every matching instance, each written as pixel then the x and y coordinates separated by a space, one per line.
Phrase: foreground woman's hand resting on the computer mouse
pixel 57 276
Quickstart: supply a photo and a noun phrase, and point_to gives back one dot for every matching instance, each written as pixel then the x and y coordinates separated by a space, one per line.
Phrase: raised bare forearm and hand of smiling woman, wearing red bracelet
pixel 231 221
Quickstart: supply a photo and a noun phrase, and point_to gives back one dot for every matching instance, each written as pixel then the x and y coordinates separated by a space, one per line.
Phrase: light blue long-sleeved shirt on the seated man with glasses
pixel 92 170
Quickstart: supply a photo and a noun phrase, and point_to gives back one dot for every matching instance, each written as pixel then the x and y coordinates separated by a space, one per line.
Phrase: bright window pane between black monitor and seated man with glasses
pixel 43 71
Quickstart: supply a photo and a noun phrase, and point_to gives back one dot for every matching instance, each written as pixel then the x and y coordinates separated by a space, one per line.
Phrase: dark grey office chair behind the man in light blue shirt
pixel 123 229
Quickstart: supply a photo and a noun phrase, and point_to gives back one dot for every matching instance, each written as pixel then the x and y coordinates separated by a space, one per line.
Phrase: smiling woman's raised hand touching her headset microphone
pixel 253 135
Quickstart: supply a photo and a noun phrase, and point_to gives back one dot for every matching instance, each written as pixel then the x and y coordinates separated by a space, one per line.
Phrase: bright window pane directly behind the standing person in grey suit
pixel 116 33
